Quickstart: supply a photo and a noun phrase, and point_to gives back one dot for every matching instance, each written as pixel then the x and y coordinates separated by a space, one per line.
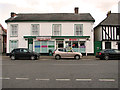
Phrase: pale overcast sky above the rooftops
pixel 97 8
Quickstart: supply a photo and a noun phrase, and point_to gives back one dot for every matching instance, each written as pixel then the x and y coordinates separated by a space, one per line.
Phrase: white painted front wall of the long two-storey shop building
pixel 24 29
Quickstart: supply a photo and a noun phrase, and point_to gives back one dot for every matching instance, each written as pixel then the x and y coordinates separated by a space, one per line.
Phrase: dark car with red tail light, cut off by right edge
pixel 108 54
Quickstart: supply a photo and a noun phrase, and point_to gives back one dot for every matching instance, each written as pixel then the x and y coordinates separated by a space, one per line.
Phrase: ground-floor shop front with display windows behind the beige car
pixel 46 44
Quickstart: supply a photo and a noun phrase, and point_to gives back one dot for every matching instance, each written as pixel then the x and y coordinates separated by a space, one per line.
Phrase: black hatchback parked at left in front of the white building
pixel 23 53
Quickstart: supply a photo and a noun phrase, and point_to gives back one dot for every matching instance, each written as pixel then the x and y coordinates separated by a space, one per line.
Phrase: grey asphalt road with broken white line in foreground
pixel 89 73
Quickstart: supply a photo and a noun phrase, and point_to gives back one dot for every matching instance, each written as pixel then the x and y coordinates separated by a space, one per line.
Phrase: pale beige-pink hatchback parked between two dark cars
pixel 66 53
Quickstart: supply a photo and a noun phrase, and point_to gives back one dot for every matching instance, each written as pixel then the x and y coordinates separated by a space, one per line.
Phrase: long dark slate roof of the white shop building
pixel 51 17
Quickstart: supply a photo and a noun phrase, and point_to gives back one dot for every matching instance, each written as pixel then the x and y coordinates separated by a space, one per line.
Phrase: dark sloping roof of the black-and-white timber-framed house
pixel 113 19
